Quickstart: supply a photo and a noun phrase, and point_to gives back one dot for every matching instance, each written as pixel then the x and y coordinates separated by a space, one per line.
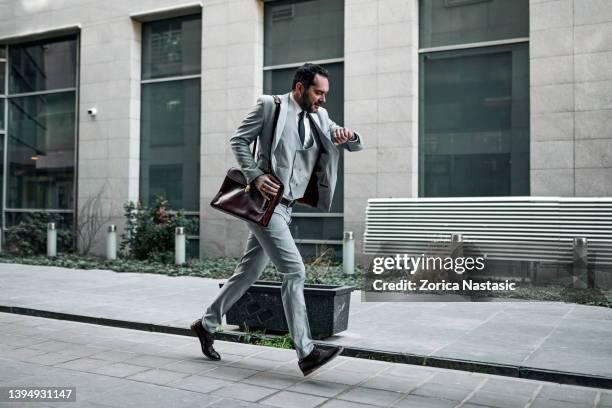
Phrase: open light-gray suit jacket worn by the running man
pixel 259 123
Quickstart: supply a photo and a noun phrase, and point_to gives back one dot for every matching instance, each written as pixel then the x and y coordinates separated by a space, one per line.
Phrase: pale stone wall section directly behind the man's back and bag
pixel 232 72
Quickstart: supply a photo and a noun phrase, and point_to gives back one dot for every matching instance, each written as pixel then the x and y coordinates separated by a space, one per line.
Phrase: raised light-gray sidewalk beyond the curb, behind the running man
pixel 523 336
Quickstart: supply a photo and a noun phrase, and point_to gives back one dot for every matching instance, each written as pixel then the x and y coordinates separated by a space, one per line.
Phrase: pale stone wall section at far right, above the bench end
pixel 571 97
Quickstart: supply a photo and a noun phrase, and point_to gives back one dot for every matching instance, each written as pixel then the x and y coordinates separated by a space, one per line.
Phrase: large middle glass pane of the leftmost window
pixel 41 131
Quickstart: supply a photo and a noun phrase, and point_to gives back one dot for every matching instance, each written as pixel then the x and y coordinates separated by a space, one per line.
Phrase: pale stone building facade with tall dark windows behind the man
pixel 454 98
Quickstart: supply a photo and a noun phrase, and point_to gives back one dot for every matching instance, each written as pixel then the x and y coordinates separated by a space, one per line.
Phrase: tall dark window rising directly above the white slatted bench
pixel 474 105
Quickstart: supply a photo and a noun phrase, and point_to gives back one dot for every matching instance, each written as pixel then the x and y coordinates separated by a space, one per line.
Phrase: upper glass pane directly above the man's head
pixel 303 31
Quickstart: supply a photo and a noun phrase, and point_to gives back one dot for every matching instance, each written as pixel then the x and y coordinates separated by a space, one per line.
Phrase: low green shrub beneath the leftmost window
pixel 29 237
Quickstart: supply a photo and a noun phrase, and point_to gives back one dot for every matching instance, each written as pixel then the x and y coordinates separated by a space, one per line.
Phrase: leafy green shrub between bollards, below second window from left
pixel 149 231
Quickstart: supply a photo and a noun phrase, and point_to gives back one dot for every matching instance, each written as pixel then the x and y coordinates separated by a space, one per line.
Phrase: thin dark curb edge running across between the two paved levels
pixel 530 373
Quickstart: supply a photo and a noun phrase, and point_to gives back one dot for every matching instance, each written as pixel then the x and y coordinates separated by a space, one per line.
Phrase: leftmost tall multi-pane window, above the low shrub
pixel 39 129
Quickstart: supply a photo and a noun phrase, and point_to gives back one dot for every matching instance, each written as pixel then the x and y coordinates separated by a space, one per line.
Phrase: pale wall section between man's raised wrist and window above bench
pixel 381 101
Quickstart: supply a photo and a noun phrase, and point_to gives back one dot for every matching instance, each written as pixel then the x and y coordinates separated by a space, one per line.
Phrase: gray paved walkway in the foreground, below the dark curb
pixel 113 367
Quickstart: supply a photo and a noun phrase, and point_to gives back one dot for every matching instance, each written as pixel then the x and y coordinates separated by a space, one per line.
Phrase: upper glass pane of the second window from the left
pixel 171 47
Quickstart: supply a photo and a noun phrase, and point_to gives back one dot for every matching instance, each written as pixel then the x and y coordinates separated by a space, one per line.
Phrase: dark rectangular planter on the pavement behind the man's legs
pixel 261 308
